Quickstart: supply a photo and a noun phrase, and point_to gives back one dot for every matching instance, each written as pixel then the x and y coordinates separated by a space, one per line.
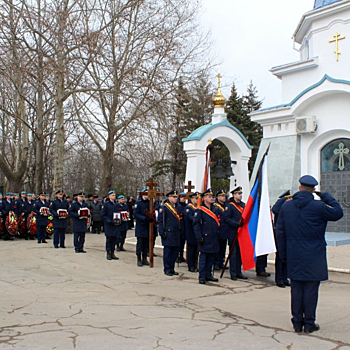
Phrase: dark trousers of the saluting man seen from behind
pixel 304 303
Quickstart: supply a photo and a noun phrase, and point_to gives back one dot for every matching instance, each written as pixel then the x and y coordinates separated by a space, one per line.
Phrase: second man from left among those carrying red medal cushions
pixel 59 221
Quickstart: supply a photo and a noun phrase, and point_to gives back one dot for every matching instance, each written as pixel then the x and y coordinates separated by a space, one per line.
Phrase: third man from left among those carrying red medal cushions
pixel 79 221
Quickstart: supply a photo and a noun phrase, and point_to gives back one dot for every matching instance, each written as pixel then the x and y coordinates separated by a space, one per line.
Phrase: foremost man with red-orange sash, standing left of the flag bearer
pixel 206 229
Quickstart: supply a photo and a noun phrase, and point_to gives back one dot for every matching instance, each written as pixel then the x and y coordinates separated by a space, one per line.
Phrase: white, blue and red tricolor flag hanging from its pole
pixel 256 237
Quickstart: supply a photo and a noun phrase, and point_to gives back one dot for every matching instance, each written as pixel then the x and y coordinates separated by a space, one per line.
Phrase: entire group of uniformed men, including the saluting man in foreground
pixel 195 228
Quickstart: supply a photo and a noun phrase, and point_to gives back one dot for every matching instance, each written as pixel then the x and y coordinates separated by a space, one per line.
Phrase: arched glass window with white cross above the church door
pixel 335 156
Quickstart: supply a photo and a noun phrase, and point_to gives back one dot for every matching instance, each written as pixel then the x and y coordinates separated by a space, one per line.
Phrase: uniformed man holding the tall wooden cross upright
pixel 142 228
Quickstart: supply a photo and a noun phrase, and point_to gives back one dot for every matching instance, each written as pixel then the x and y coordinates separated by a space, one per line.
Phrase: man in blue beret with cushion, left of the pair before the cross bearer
pixel 111 221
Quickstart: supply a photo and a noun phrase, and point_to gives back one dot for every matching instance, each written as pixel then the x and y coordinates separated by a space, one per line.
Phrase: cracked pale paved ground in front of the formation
pixel 56 299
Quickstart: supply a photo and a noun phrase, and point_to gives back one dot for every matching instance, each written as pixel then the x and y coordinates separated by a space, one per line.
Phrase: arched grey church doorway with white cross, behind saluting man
pixel 335 178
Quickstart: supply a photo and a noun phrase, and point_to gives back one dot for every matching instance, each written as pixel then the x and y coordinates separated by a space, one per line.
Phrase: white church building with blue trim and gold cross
pixel 309 133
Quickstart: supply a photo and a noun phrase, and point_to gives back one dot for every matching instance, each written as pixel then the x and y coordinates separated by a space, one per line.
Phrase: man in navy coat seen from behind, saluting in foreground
pixel 301 243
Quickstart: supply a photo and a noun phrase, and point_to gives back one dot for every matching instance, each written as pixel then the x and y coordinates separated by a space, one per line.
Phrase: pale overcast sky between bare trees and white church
pixel 252 36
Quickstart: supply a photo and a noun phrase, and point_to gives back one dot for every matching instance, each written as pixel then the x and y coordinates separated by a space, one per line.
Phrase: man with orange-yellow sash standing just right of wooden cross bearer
pixel 170 227
